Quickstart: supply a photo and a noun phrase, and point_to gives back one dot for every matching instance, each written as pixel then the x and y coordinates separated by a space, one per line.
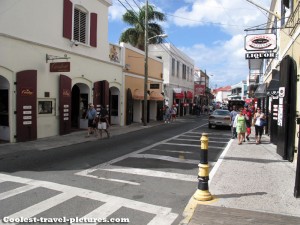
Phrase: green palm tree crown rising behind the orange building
pixel 135 34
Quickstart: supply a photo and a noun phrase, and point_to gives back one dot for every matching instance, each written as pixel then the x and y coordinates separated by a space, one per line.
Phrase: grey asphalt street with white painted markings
pixel 146 176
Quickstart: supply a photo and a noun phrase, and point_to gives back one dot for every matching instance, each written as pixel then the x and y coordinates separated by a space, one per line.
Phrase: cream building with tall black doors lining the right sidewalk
pixel 279 87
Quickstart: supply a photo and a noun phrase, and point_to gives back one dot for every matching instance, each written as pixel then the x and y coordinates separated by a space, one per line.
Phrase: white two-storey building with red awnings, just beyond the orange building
pixel 178 75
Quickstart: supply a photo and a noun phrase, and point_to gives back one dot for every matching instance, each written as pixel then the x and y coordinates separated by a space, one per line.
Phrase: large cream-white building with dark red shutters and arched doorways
pixel 55 59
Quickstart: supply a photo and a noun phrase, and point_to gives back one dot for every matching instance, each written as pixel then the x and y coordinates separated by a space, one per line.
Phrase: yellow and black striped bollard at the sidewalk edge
pixel 203 194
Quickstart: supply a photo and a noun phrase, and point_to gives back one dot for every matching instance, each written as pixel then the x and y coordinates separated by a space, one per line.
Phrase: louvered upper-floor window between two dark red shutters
pixel 80 26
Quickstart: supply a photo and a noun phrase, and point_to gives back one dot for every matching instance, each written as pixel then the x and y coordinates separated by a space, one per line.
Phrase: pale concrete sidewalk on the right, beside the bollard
pixel 248 177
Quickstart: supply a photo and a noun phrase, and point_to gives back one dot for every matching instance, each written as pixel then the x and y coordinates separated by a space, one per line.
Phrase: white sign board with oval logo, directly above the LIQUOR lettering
pixel 260 42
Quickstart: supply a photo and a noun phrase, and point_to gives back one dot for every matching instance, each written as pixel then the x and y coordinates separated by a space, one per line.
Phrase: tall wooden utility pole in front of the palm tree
pixel 146 67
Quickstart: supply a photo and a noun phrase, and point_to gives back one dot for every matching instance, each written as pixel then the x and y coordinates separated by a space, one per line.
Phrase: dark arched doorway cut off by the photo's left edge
pixel 4 110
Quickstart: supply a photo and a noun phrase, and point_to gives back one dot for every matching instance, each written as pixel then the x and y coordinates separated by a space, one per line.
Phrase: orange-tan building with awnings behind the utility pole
pixel 134 80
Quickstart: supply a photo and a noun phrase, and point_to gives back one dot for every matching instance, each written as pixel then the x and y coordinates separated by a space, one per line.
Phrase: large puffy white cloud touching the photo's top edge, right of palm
pixel 232 16
